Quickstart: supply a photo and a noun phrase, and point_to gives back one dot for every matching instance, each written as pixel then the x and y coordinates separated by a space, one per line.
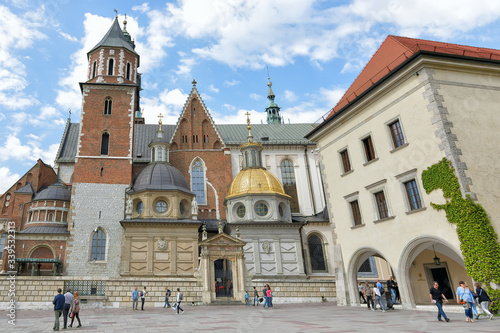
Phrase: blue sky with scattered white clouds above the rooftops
pixel 314 50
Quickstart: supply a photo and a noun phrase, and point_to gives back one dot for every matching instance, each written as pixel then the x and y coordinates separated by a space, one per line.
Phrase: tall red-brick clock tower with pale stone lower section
pixel 103 162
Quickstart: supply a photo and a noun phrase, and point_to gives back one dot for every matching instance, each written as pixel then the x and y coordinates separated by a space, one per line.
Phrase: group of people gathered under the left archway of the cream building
pixel 377 295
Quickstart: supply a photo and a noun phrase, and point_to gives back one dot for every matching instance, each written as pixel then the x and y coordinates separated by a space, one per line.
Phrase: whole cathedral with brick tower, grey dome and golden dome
pixel 212 209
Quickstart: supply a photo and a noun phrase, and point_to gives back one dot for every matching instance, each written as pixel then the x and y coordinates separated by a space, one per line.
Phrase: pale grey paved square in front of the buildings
pixel 312 317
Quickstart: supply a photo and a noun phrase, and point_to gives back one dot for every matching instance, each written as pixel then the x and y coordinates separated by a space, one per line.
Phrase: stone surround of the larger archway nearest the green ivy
pixel 411 251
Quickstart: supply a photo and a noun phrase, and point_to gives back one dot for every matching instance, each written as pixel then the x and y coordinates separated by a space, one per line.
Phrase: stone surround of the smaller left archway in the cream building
pixel 359 256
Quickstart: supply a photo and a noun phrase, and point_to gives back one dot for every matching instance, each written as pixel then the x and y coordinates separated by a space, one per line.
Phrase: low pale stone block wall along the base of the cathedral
pixel 38 292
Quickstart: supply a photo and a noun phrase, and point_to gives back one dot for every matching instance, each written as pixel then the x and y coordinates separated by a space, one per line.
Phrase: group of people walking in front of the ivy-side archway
pixel 467 297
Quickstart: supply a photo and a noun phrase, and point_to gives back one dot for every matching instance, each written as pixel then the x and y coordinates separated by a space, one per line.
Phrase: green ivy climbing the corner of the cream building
pixel 478 240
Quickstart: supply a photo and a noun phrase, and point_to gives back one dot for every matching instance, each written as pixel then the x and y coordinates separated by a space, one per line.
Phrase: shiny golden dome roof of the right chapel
pixel 255 181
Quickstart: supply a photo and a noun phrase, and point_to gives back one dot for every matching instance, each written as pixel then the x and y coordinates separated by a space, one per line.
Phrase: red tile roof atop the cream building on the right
pixel 394 51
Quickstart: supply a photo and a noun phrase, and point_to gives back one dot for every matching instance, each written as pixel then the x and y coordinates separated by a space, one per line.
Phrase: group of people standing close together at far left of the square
pixel 67 304
